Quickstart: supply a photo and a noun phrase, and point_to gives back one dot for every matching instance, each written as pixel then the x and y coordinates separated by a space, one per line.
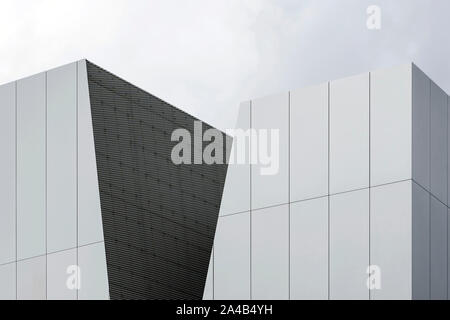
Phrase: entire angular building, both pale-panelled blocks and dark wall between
pixel 361 185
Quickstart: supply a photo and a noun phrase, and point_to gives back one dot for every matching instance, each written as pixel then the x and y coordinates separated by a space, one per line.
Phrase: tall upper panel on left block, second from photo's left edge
pixel 31 166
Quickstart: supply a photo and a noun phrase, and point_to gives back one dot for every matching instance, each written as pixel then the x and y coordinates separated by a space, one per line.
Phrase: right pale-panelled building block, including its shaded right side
pixel 362 181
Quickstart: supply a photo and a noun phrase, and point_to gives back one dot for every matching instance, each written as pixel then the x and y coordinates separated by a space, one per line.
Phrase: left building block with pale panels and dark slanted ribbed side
pixel 87 182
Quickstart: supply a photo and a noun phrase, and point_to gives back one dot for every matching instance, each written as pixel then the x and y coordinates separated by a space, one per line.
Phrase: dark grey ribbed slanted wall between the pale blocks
pixel 159 219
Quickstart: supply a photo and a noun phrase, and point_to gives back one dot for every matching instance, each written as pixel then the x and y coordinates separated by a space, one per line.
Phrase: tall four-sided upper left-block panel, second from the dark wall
pixel 62 158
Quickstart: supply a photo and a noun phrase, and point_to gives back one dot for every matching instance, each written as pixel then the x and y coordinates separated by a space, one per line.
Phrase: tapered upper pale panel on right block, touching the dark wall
pixel 236 193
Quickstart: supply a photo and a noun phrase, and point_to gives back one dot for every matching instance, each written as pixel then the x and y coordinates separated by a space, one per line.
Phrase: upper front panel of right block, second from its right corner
pixel 349 134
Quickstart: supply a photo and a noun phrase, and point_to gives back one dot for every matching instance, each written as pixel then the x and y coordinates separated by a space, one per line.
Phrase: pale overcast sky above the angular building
pixel 207 56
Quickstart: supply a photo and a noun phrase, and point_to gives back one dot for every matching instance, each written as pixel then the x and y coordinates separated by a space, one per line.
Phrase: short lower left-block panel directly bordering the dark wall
pixel 94 275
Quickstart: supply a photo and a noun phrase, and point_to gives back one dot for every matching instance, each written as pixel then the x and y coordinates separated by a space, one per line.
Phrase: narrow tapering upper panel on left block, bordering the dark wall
pixel 90 228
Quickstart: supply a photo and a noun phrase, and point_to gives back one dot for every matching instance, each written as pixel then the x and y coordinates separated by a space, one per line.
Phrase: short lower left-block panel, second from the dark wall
pixel 58 275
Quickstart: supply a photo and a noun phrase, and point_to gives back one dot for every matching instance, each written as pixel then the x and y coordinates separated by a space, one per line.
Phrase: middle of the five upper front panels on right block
pixel 309 142
